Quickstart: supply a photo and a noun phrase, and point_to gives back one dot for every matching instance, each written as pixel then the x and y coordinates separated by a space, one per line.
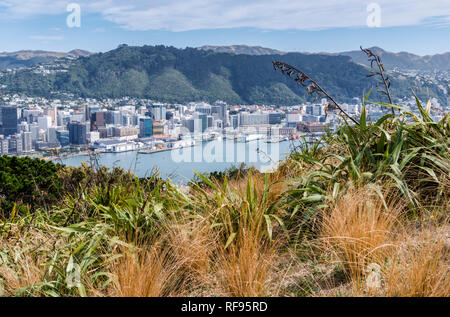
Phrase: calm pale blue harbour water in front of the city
pixel 180 164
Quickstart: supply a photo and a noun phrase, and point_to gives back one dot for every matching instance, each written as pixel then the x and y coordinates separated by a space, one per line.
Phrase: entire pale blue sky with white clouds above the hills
pixel 417 26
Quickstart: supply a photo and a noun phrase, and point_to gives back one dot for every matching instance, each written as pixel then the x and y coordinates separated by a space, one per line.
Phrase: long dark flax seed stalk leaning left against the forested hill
pixel 311 86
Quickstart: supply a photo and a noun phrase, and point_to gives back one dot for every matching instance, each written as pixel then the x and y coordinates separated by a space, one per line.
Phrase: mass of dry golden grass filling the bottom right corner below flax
pixel 384 256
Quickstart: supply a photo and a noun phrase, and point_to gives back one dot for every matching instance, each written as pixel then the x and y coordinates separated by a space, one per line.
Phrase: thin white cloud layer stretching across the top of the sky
pixel 176 15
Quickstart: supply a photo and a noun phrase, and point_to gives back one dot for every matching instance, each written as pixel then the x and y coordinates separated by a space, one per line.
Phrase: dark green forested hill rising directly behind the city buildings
pixel 182 75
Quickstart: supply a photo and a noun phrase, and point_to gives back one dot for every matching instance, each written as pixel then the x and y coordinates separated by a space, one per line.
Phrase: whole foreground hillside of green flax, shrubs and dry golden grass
pixel 364 212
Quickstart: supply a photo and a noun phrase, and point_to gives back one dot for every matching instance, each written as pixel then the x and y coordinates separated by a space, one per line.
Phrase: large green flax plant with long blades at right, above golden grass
pixel 407 153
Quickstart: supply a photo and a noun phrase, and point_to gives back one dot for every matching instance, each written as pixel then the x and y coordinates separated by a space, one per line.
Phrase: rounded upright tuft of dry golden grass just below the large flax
pixel 359 230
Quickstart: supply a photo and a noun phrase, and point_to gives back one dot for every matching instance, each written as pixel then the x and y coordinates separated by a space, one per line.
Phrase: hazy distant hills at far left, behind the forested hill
pixel 28 58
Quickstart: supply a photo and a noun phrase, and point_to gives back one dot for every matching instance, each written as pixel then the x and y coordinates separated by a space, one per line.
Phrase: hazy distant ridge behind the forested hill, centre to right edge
pixel 400 61
